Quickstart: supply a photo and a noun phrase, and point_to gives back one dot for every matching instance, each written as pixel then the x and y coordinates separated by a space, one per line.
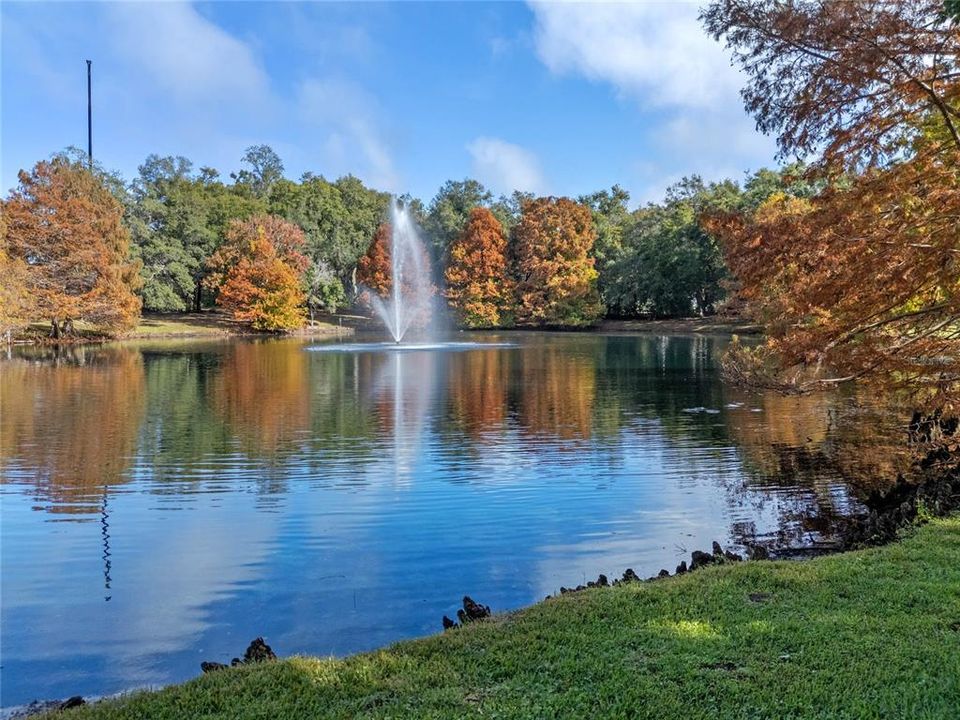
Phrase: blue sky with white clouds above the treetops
pixel 551 98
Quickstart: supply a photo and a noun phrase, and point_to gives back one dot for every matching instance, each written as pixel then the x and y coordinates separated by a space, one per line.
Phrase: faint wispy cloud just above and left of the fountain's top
pixel 349 117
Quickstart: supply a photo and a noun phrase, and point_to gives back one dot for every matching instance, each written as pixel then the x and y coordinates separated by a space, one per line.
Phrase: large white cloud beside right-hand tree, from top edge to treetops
pixel 657 55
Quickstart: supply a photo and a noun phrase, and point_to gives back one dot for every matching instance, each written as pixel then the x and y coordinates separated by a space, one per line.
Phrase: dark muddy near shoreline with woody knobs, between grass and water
pixel 895 518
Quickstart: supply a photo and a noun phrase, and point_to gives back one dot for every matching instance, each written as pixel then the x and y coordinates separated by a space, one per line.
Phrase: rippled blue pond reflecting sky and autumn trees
pixel 164 503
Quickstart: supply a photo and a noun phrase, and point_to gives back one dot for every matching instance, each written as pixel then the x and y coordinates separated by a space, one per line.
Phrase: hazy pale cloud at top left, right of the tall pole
pixel 186 54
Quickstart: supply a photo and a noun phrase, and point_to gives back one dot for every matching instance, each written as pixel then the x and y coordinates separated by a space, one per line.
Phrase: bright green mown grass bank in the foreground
pixel 868 634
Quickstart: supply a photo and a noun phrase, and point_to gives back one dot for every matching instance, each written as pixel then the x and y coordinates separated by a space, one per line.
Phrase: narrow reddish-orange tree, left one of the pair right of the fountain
pixel 478 286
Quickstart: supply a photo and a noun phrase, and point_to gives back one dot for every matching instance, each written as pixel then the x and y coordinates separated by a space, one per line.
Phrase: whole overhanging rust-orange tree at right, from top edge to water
pixel 862 281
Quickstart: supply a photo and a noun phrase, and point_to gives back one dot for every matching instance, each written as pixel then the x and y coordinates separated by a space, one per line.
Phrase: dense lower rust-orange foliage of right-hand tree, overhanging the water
pixel 863 280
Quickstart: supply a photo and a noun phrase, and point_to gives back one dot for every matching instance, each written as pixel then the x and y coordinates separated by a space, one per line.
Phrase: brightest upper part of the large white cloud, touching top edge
pixel 655 51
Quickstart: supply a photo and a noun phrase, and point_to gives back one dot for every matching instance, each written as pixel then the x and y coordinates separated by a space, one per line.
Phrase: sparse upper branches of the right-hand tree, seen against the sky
pixel 854 81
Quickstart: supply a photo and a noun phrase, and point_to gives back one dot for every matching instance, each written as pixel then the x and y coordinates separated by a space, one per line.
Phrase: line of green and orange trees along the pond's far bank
pixel 80 243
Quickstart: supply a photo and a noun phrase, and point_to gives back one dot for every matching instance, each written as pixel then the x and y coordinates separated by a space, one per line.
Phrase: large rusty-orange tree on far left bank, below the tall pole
pixel 64 233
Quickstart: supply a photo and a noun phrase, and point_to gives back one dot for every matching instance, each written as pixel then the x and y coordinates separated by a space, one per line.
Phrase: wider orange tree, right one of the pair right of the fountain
pixel 556 279
